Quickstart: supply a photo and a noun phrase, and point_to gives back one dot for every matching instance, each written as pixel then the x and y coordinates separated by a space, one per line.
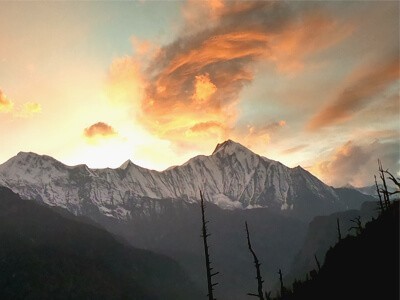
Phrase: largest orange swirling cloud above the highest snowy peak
pixel 198 78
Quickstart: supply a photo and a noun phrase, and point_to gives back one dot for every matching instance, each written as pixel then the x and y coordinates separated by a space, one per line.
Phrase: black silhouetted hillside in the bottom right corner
pixel 365 266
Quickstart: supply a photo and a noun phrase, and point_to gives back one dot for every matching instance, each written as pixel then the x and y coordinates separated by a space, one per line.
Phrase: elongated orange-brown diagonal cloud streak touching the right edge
pixel 362 86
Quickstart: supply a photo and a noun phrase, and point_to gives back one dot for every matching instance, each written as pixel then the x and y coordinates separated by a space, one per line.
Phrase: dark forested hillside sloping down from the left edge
pixel 44 255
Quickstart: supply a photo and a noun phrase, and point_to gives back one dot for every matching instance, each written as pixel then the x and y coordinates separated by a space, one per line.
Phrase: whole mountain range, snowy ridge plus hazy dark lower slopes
pixel 159 211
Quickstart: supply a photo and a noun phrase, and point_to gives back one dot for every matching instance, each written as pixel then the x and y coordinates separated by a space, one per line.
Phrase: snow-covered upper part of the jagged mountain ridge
pixel 233 177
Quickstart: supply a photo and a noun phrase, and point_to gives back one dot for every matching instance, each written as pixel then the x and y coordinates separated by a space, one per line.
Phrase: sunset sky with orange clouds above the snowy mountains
pixel 306 83
